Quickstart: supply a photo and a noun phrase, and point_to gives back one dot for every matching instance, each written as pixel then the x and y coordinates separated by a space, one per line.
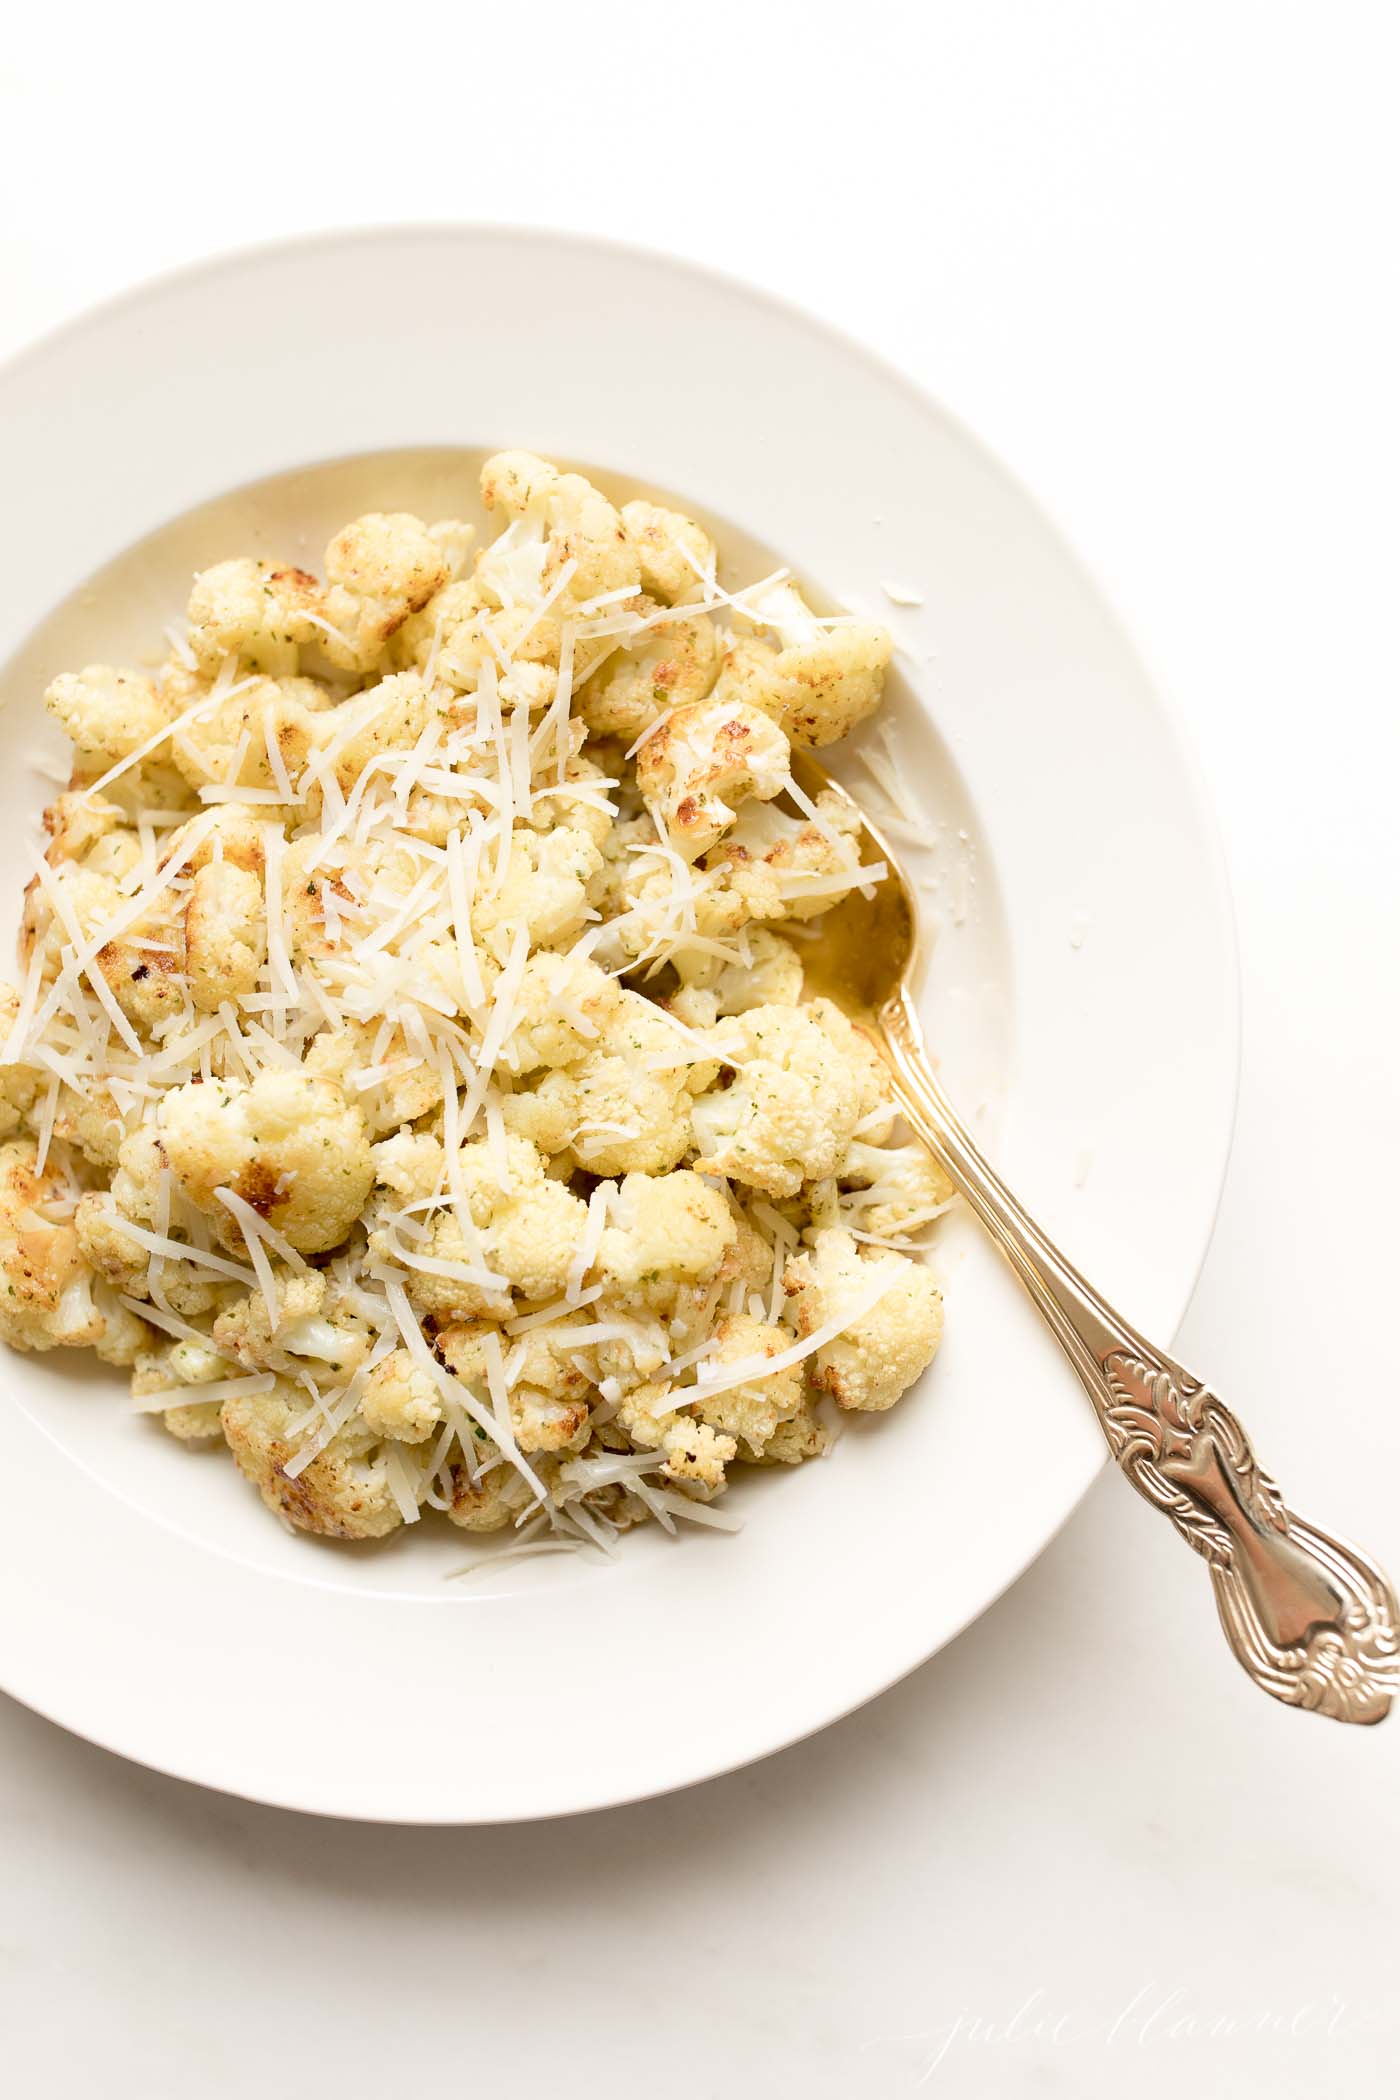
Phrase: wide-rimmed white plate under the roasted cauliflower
pixel 1084 1001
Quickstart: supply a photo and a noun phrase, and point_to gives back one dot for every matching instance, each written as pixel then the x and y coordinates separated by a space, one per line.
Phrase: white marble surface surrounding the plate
pixel 1149 253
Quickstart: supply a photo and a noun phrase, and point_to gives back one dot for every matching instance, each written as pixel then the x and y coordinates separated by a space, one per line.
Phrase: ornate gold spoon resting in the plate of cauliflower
pixel 1313 1620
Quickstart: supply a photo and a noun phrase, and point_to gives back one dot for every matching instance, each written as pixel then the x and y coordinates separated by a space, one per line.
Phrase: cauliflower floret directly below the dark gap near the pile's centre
pixel 616 1110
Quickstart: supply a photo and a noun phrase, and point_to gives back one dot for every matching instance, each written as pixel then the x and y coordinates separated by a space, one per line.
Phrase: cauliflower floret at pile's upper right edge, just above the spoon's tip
pixel 820 684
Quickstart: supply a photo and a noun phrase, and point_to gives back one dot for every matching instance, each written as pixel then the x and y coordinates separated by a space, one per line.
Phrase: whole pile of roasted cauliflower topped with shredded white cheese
pixel 415 1078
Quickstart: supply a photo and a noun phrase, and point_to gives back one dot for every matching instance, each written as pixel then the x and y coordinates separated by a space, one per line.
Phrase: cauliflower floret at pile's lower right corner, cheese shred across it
pixel 881 1353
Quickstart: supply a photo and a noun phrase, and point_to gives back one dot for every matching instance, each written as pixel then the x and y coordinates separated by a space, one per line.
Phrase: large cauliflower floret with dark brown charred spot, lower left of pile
pixel 289 1143
